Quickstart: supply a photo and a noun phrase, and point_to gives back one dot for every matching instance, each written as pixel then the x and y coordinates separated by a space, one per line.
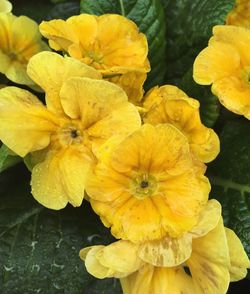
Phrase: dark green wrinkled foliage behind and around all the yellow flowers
pixel 39 247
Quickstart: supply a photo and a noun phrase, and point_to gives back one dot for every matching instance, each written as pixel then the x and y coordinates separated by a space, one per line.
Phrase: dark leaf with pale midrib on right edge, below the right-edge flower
pixel 229 175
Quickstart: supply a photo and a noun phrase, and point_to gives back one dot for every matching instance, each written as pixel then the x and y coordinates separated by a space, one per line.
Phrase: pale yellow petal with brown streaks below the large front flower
pixel 167 252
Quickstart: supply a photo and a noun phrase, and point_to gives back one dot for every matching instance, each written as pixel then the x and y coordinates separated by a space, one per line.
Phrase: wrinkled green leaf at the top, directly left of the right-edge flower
pixel 190 26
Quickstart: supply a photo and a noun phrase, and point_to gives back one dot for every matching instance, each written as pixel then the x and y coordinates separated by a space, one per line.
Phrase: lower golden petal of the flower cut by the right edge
pixel 233 94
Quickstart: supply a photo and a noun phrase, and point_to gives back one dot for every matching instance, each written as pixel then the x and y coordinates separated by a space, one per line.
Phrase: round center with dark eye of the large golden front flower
pixel 143 185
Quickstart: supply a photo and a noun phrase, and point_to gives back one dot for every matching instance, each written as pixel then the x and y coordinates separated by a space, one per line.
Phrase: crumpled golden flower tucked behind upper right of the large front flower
pixel 168 104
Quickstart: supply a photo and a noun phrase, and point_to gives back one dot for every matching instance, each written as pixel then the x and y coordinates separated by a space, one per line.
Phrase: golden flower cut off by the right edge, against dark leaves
pixel 225 64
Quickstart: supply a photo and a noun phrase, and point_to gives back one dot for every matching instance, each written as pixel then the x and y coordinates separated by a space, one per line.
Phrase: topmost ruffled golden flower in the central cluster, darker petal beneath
pixel 110 43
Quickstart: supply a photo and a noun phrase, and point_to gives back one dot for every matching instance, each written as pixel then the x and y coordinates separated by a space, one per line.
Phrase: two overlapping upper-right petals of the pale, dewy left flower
pixel 99 104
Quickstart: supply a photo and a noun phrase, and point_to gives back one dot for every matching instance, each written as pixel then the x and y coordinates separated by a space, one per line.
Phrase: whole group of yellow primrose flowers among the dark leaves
pixel 140 158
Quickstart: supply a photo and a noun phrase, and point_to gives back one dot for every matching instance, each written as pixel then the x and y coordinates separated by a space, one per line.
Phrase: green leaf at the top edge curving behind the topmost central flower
pixel 149 16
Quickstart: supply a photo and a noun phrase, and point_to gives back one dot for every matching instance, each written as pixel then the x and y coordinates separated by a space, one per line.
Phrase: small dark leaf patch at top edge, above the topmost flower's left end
pixel 64 10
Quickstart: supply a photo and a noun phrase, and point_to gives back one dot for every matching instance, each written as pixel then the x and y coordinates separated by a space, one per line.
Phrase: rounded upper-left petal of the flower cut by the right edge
pixel 216 61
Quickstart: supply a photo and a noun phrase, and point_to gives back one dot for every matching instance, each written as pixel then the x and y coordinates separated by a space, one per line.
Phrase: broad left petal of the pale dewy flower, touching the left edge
pixel 26 125
